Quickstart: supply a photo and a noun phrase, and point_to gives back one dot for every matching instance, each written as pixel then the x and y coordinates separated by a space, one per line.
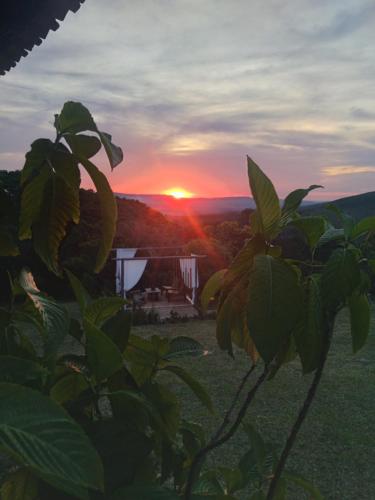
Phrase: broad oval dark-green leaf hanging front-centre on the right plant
pixel 274 304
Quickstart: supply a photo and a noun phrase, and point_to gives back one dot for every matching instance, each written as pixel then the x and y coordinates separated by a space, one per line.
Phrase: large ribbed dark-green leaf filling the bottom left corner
pixel 37 433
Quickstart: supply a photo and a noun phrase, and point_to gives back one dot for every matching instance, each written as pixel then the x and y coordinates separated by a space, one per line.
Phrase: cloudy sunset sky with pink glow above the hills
pixel 189 87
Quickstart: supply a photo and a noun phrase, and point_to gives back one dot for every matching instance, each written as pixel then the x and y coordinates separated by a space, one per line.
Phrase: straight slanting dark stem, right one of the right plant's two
pixel 299 421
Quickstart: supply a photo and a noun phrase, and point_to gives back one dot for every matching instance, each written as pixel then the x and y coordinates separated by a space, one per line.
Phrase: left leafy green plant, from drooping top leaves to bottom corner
pixel 84 411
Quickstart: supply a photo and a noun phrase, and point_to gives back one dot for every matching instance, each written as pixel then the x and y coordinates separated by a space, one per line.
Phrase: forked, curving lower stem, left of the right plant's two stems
pixel 218 441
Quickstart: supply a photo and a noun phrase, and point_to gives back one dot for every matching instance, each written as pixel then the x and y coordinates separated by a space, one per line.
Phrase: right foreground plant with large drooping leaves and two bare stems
pixel 277 309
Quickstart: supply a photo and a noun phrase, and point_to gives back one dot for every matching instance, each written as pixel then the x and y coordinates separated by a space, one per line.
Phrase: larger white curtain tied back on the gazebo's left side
pixel 128 272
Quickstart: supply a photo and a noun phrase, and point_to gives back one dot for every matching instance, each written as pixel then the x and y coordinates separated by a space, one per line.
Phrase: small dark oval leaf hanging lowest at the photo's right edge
pixel 360 315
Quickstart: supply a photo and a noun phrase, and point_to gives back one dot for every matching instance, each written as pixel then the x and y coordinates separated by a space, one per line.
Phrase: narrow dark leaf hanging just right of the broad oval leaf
pixel 309 333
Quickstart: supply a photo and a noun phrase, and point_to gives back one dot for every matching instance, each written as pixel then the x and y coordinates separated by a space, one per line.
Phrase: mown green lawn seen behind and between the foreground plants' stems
pixel 336 446
